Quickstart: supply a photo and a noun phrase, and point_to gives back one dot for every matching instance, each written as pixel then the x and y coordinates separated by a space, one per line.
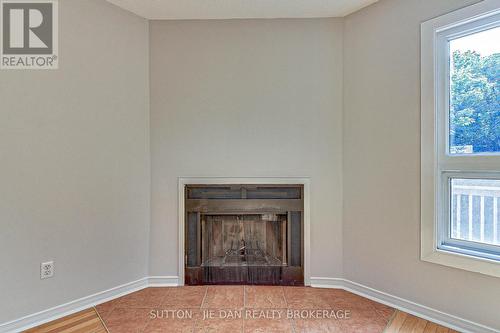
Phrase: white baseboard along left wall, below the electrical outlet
pixel 66 309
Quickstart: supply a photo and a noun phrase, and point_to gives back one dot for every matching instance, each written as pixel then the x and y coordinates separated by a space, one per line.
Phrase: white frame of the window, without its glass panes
pixel 438 167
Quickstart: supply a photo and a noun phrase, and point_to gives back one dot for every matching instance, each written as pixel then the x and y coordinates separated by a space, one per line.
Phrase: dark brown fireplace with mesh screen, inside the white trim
pixel 244 234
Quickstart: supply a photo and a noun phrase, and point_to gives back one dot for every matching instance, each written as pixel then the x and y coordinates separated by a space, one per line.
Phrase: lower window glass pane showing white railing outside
pixel 475 210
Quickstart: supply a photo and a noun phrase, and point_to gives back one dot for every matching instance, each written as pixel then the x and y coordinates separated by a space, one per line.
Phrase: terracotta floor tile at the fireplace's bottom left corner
pixel 184 297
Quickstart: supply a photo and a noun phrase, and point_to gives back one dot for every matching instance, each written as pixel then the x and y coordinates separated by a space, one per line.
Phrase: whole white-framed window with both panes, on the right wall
pixel 461 139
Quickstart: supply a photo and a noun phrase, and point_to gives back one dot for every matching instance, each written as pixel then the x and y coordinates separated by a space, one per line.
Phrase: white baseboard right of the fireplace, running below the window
pixel 422 311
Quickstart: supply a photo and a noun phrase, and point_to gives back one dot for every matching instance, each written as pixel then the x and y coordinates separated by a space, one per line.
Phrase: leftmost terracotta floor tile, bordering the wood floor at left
pixel 124 320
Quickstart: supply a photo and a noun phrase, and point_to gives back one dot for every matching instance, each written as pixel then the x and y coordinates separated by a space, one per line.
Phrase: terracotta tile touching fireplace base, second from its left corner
pixel 224 297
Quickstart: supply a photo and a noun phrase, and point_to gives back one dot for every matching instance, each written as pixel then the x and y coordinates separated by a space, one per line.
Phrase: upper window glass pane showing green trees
pixel 475 93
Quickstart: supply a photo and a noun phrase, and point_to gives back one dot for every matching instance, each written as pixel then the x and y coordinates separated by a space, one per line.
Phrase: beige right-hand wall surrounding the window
pixel 382 165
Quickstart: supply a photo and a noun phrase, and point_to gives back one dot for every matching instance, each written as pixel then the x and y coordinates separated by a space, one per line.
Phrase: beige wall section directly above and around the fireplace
pixel 247 98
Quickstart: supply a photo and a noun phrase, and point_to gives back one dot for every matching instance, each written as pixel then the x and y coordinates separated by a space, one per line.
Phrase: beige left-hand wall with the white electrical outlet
pixel 74 160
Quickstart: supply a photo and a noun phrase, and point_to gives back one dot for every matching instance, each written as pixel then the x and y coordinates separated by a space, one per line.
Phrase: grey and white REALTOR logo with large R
pixel 29 34
